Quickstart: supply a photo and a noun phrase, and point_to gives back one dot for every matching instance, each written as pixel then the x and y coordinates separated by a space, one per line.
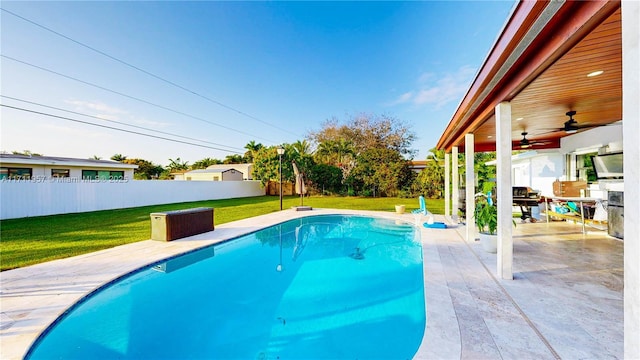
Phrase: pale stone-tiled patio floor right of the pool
pixel 565 301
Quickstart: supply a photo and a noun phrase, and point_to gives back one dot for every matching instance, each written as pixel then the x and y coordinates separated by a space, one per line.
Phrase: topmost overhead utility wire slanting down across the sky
pixel 149 73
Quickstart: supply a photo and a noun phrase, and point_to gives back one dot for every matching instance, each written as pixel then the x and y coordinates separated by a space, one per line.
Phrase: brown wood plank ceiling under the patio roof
pixel 540 109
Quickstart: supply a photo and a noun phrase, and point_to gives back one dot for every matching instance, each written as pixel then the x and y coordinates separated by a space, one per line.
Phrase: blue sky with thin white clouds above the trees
pixel 263 71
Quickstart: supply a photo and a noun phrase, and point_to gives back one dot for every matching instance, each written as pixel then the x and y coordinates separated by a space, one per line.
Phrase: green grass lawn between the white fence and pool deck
pixel 35 240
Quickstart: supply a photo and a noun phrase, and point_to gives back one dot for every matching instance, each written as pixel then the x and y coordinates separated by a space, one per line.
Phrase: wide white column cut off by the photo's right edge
pixel 631 148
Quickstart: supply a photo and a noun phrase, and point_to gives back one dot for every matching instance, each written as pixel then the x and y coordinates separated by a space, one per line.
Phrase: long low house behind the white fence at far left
pixel 51 168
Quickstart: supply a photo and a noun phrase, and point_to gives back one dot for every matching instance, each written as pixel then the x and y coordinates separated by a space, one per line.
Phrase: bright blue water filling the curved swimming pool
pixel 318 287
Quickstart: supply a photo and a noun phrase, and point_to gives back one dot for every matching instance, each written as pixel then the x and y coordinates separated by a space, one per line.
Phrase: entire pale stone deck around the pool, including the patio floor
pixel 565 301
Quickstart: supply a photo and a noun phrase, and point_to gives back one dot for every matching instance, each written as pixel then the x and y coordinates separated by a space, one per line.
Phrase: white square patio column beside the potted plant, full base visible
pixel 504 195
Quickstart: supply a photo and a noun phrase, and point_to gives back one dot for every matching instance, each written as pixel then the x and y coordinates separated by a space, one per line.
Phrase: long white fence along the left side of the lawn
pixel 30 198
